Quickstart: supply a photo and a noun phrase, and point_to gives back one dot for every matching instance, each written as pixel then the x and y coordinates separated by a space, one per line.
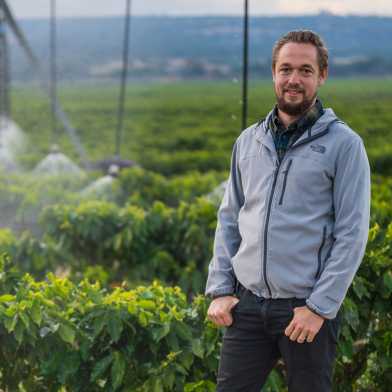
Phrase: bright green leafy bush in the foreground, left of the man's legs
pixel 57 334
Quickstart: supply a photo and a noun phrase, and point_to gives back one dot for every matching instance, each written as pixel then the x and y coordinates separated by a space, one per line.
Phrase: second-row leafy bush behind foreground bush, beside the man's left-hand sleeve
pixel 135 244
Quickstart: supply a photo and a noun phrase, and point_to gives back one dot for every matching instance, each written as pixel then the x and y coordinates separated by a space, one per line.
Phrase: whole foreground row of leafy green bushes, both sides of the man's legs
pixel 58 334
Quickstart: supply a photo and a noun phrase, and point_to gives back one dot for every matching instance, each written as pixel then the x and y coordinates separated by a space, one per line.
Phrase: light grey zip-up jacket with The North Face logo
pixel 297 228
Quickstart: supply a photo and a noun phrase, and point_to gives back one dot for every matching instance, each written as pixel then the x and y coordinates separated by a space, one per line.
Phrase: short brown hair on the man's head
pixel 303 37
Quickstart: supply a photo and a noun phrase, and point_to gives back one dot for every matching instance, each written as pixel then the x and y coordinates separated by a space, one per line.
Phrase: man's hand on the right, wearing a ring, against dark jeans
pixel 304 326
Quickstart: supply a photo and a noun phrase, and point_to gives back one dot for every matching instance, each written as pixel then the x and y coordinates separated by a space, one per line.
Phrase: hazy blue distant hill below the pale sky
pixel 200 47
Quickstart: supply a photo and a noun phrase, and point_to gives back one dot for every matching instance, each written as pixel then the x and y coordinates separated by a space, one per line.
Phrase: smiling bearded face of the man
pixel 296 77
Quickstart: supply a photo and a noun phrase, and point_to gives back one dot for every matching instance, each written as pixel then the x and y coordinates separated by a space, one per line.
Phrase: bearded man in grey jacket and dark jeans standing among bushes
pixel 291 233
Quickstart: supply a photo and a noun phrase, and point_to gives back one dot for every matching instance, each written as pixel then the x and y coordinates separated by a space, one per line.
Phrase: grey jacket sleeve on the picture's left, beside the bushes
pixel 221 279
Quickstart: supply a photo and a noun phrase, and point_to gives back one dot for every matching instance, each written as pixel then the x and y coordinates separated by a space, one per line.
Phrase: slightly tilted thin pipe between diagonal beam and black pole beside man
pixel 121 103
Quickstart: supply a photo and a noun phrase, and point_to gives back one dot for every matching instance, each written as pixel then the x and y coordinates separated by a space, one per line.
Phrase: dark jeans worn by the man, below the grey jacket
pixel 255 341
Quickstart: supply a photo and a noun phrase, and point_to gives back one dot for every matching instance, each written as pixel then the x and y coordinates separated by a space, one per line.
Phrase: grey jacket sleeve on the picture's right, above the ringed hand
pixel 351 198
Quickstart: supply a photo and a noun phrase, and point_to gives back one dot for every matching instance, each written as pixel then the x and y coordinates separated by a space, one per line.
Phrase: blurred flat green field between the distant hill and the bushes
pixel 172 128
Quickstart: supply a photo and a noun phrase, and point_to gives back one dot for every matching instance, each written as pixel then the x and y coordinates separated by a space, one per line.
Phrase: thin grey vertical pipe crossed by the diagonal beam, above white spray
pixel 53 76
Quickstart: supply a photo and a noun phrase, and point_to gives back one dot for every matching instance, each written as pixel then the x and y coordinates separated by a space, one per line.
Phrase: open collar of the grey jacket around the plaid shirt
pixel 263 133
